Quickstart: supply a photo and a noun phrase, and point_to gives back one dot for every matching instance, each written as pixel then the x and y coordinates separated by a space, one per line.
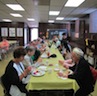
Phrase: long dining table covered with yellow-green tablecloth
pixel 50 80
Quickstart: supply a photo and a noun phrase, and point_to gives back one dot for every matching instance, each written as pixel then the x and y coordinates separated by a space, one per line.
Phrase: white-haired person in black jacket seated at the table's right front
pixel 82 73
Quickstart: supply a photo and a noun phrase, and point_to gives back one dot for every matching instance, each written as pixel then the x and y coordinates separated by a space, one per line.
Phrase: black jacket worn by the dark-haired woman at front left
pixel 11 77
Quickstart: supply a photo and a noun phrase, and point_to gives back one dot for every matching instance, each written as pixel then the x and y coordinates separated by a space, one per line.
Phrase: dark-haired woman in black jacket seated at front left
pixel 15 72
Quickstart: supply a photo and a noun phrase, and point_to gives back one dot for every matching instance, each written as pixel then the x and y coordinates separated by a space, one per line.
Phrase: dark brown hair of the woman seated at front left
pixel 18 52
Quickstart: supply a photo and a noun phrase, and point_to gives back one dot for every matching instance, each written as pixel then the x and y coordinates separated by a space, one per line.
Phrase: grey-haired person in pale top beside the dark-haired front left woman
pixel 27 59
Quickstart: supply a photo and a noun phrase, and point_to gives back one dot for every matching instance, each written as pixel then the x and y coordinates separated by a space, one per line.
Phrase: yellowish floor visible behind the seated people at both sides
pixel 3 64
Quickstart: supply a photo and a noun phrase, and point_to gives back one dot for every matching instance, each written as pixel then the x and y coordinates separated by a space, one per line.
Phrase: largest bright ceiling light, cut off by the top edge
pixel 74 3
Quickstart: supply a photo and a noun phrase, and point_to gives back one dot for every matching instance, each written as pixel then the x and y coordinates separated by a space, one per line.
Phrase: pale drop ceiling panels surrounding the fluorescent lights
pixel 39 10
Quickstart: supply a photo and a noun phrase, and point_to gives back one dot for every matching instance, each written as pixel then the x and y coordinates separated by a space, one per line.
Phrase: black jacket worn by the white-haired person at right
pixel 83 76
